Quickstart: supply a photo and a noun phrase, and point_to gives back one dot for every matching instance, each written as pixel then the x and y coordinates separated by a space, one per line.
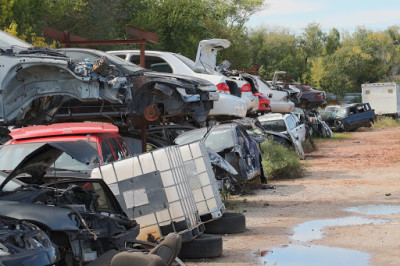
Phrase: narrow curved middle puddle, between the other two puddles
pixel 313 229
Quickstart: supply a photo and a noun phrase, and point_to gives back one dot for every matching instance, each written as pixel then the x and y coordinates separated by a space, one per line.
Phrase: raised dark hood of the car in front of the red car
pixel 38 162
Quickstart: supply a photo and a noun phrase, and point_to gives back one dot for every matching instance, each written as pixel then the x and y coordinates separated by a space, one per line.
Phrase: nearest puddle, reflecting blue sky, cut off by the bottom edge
pixel 315 255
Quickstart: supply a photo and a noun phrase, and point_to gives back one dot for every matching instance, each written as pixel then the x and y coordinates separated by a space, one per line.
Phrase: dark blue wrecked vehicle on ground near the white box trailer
pixel 349 117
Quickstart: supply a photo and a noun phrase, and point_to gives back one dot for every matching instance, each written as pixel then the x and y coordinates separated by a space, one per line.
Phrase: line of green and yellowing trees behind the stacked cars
pixel 334 61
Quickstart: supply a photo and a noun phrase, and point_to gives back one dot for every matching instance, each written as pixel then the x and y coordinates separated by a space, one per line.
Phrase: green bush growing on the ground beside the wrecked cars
pixel 280 162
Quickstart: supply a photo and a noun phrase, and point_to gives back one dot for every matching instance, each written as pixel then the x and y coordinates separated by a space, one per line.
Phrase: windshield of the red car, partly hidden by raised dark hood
pixel 12 155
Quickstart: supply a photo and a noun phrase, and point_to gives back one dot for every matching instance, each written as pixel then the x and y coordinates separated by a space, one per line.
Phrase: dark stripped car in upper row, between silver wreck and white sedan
pixel 156 96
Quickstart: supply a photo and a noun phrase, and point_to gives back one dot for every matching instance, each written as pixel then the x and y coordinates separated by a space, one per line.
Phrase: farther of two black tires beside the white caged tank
pixel 229 223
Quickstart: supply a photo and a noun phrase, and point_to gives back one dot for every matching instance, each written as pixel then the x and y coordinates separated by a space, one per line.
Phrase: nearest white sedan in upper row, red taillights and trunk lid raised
pixel 228 104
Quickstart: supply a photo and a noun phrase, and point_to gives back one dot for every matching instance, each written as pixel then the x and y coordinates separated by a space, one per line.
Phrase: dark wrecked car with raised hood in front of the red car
pixel 81 216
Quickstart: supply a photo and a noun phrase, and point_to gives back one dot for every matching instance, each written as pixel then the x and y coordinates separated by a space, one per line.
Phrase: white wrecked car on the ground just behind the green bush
pixel 288 124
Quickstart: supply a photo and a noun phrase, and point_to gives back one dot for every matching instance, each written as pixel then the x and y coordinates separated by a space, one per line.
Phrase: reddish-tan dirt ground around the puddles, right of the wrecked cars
pixel 361 170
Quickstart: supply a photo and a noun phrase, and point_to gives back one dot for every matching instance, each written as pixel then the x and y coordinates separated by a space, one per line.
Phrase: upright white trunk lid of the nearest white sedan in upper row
pixel 206 58
